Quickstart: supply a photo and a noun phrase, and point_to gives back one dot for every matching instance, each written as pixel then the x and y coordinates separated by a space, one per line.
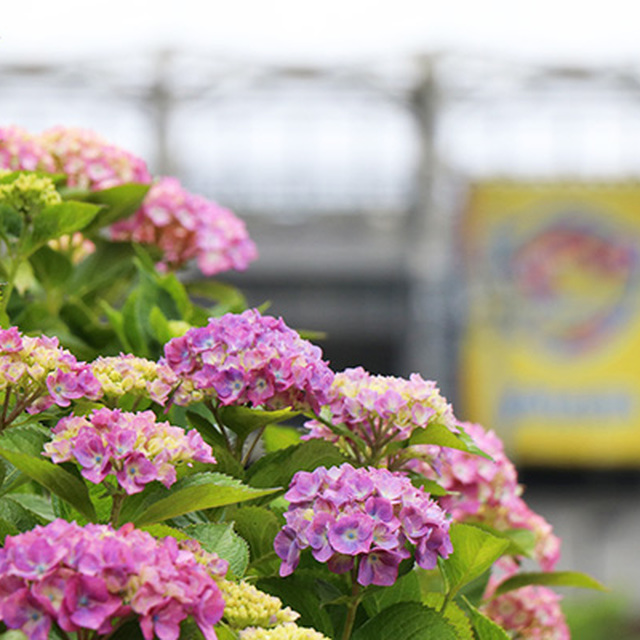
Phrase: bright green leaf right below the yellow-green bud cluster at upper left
pixel 58 220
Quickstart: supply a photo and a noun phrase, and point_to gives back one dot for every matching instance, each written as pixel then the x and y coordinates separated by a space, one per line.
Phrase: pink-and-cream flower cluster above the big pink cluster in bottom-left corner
pixel 132 446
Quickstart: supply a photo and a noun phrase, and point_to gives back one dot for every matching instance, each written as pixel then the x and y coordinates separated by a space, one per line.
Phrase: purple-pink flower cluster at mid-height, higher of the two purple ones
pixel 249 359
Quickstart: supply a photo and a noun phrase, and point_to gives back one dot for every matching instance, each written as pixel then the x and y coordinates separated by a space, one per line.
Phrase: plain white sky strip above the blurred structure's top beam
pixel 568 31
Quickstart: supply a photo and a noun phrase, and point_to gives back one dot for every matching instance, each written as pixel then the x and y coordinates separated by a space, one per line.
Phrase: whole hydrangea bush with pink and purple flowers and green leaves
pixel 153 483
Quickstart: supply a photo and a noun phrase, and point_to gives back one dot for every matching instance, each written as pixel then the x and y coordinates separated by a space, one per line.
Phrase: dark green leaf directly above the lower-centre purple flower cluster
pixel 277 468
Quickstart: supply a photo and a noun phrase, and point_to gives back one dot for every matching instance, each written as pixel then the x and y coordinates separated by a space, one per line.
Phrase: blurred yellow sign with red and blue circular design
pixel 551 355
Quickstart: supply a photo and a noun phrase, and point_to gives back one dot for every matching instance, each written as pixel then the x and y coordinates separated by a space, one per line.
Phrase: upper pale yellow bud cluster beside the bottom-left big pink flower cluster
pixel 247 606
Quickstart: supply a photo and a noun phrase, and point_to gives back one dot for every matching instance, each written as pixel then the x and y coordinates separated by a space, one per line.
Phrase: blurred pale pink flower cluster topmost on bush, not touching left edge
pixel 90 162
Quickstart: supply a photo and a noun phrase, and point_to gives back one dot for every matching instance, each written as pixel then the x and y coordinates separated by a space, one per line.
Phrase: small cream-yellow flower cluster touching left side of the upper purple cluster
pixel 129 374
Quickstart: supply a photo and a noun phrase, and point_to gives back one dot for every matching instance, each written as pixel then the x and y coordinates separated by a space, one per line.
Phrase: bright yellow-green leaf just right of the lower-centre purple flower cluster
pixel 474 551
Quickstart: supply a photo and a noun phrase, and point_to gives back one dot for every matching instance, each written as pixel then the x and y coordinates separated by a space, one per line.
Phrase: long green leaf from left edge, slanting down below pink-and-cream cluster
pixel 54 478
